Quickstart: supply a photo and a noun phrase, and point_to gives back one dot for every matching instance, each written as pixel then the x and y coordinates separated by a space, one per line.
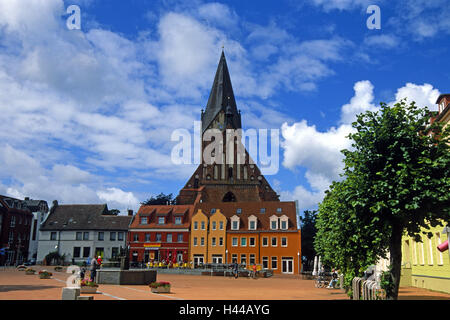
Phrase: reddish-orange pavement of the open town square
pixel 16 285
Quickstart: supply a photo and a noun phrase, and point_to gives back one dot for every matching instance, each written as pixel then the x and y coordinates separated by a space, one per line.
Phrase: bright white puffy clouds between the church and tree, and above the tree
pixel 319 152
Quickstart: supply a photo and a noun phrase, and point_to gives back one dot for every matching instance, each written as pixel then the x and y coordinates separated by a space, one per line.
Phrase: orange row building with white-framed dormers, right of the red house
pixel 261 233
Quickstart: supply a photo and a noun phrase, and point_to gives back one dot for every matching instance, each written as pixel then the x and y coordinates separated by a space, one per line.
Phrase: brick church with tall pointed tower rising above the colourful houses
pixel 226 173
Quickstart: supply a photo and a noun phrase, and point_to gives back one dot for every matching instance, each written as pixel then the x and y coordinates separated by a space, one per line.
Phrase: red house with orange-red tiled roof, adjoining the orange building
pixel 160 233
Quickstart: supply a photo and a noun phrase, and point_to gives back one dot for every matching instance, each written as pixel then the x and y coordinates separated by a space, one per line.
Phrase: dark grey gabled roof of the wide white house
pixel 84 217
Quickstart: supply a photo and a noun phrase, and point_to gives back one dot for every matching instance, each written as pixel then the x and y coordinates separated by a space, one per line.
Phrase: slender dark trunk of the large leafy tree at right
pixel 395 248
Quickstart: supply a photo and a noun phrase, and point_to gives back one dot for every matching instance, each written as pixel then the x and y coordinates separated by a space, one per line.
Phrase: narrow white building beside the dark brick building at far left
pixel 39 209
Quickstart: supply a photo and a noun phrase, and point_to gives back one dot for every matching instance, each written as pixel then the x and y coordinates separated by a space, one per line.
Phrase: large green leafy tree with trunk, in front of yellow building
pixel 396 181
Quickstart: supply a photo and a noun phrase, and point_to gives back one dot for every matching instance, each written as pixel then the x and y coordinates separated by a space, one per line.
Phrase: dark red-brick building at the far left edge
pixel 15 226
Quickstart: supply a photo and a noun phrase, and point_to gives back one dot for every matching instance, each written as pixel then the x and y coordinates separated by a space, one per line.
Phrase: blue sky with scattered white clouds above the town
pixel 87 115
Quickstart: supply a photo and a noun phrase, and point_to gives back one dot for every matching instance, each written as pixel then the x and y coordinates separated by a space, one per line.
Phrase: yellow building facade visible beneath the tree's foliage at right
pixel 423 265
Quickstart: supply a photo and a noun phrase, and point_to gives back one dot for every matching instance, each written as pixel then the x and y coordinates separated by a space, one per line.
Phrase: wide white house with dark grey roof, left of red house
pixel 82 231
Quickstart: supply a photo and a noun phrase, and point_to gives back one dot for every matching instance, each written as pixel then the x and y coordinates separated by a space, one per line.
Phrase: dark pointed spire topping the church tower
pixel 221 98
